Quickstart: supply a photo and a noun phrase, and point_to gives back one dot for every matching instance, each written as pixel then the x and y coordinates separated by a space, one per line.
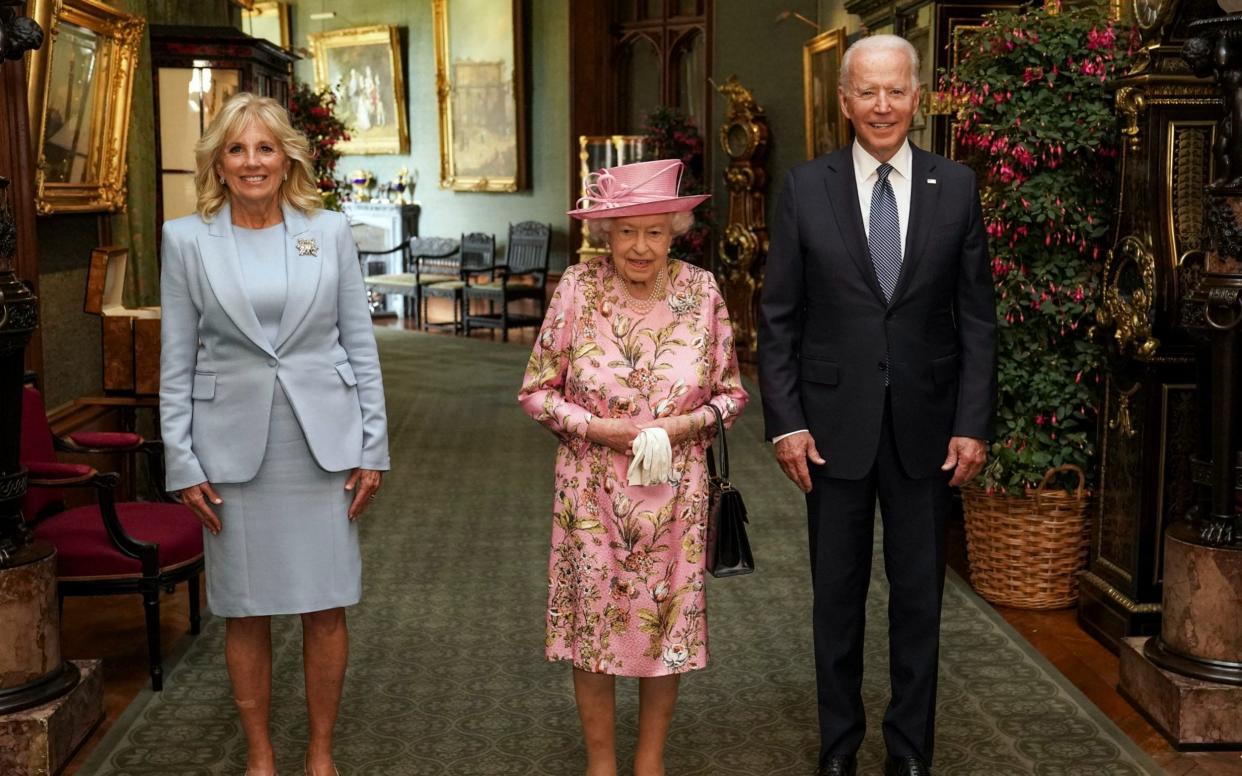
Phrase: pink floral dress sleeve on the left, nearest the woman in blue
pixel 543 389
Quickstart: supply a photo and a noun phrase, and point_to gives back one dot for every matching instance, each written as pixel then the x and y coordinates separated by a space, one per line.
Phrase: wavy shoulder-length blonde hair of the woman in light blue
pixel 299 191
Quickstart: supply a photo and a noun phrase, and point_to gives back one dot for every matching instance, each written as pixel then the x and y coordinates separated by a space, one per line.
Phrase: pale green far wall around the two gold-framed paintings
pixel 446 213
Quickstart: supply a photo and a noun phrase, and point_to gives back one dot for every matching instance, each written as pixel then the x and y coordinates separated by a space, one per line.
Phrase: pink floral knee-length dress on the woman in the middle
pixel 627 577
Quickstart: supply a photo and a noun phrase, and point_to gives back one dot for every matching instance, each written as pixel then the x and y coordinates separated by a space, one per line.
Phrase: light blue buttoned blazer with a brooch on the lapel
pixel 219 371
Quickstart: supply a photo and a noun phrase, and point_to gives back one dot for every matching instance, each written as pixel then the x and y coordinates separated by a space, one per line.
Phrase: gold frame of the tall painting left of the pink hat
pixel 449 177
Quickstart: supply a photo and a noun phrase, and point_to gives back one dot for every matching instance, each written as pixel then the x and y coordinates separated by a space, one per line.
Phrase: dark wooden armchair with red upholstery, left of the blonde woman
pixel 109 548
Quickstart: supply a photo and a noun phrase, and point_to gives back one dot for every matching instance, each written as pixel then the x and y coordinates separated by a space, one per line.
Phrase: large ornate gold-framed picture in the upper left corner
pixel 81 85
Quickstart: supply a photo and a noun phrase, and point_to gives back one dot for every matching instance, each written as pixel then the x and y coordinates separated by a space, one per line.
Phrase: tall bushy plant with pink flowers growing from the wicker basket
pixel 1036 122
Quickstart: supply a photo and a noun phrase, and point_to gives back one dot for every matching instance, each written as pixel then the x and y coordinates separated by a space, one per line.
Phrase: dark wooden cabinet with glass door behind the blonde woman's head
pixel 196 71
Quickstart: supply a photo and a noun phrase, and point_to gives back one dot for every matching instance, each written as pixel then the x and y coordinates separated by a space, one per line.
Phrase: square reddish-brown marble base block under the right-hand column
pixel 1192 713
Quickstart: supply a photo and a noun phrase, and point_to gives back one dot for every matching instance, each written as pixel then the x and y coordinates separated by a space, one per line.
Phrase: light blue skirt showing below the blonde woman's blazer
pixel 286 544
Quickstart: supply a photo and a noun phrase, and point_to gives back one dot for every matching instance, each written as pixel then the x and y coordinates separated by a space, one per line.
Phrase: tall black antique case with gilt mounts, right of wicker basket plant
pixel 1149 422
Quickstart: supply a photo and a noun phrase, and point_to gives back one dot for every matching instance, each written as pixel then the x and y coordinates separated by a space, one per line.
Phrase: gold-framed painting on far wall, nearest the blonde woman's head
pixel 363 68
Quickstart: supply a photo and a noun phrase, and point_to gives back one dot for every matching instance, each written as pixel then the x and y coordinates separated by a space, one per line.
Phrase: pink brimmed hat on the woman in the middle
pixel 639 189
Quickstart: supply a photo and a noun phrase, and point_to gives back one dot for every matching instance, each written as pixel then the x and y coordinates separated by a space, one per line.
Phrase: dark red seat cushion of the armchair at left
pixel 84 548
